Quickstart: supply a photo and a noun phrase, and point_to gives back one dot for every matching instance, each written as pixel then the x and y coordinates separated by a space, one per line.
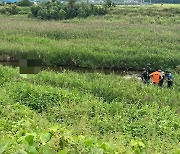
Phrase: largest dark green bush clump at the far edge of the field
pixel 57 11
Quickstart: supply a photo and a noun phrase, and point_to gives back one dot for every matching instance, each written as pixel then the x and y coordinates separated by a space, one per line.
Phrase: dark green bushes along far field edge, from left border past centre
pixel 54 10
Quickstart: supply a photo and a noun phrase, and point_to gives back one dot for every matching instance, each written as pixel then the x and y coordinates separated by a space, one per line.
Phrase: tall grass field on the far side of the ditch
pixel 128 36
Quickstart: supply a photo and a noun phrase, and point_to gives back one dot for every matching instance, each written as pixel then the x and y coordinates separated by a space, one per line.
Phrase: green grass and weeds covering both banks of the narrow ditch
pixel 70 112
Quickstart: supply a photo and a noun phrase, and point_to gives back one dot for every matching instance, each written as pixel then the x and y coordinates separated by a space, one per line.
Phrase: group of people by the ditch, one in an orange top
pixel 158 76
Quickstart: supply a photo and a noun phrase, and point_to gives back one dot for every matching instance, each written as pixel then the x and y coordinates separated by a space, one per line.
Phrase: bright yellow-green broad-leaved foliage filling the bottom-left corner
pixel 24 131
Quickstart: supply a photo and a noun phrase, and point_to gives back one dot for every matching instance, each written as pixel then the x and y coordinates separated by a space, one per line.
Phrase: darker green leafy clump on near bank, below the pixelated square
pixel 36 98
